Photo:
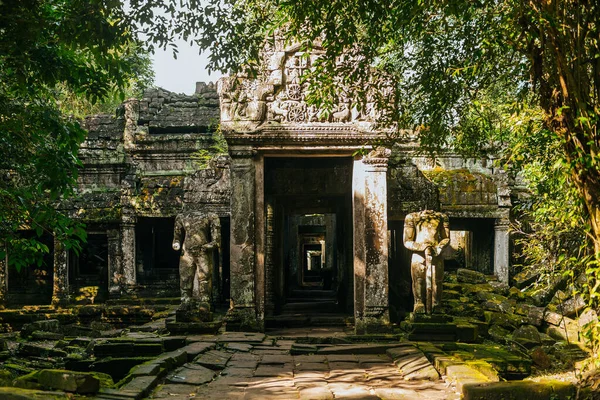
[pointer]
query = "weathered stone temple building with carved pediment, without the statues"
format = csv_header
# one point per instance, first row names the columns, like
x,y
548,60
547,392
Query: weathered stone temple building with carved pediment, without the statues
x,y
302,216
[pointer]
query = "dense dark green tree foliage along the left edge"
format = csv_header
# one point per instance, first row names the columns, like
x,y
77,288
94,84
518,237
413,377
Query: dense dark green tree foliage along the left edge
x,y
77,49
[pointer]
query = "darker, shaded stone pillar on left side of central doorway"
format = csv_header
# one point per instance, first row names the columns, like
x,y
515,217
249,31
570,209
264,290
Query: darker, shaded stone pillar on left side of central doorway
x,y
242,312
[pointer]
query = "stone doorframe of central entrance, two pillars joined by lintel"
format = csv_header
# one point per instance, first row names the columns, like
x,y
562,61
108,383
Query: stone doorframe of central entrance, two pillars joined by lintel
x,y
249,242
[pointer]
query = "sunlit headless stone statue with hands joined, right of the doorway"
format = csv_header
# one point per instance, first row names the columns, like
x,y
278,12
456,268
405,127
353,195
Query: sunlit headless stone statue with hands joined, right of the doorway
x,y
426,234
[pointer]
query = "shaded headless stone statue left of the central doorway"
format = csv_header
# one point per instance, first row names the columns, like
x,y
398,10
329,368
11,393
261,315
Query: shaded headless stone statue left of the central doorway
x,y
202,233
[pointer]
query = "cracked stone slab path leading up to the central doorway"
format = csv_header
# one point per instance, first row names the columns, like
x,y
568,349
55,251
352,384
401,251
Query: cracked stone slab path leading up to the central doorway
x,y
255,366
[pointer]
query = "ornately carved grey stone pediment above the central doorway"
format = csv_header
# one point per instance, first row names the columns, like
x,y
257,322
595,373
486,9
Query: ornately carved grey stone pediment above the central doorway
x,y
278,94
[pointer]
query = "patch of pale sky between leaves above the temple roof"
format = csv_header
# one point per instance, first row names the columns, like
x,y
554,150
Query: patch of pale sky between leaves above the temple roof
x,y
181,75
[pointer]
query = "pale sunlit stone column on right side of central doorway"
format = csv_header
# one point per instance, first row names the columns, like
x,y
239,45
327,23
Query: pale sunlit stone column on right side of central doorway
x,y
376,309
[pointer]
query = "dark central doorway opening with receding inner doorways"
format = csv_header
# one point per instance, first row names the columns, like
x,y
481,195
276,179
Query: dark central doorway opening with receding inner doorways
x,y
309,238
